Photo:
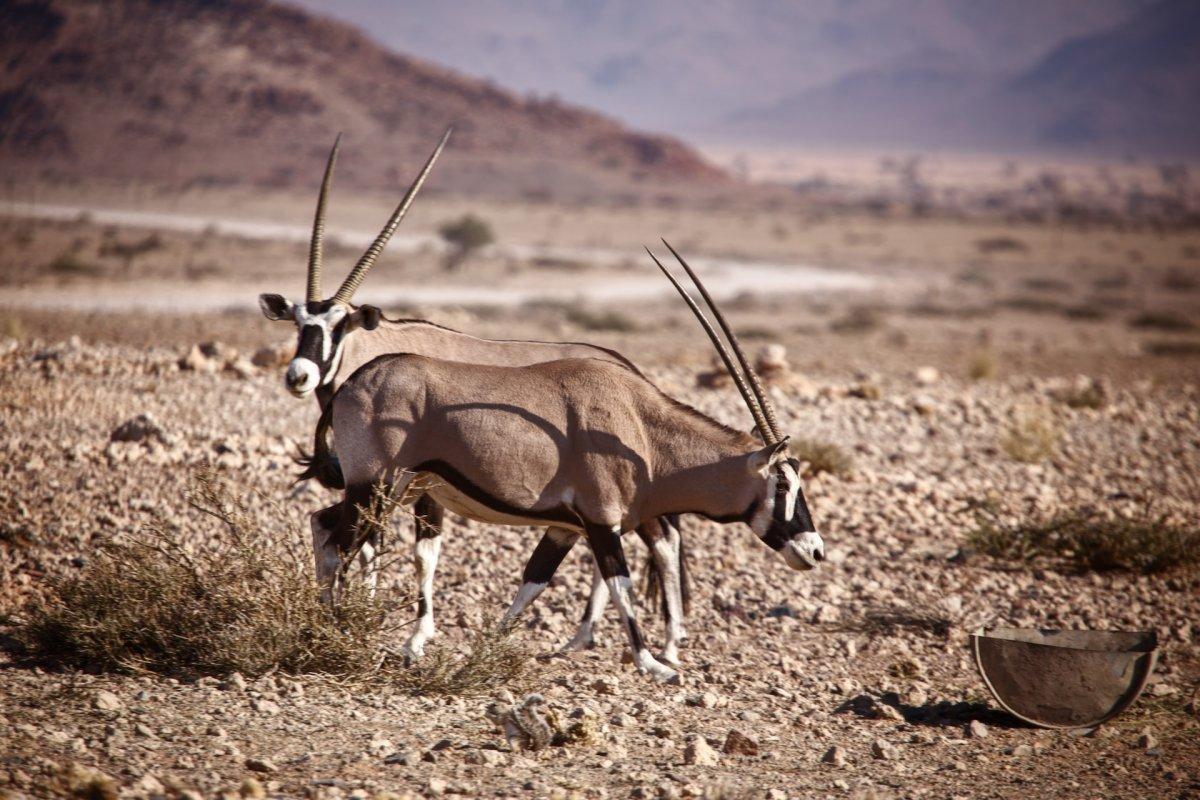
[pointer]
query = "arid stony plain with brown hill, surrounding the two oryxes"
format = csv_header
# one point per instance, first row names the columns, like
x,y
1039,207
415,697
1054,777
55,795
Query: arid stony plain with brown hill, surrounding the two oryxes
x,y
989,366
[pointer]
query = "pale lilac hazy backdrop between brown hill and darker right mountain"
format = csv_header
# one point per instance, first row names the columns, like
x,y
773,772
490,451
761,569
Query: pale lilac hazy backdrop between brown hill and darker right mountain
x,y
686,68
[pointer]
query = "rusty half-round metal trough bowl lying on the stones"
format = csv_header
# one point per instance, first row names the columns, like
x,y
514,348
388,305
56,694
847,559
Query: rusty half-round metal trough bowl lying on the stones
x,y
1065,679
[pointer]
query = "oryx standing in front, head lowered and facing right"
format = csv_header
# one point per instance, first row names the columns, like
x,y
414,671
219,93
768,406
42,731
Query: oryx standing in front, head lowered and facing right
x,y
586,447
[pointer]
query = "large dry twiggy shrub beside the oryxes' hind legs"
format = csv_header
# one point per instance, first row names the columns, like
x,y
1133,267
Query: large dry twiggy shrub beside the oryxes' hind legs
x,y
244,600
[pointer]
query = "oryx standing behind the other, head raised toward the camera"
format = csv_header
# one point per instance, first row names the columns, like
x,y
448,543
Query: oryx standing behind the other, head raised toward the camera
x,y
337,338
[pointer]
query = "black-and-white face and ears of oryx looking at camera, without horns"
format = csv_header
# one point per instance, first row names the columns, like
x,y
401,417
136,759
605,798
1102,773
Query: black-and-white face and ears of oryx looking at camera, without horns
x,y
322,328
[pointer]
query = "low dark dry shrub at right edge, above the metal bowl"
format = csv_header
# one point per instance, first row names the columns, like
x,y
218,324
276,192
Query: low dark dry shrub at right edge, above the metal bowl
x,y
1091,542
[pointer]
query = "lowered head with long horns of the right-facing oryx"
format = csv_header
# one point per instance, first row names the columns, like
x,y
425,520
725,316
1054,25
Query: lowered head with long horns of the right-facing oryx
x,y
779,513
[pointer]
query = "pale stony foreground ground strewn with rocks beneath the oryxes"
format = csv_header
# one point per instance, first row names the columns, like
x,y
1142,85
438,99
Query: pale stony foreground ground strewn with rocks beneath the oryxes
x,y
854,681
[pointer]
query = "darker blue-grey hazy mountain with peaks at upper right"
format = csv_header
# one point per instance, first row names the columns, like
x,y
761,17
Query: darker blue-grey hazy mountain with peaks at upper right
x,y
1133,88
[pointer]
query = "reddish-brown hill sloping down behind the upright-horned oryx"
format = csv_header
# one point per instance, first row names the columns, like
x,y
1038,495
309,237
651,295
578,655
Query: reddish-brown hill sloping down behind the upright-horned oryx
x,y
224,92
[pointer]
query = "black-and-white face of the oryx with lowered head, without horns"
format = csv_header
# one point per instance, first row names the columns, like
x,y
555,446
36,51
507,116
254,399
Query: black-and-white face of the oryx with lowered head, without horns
x,y
782,519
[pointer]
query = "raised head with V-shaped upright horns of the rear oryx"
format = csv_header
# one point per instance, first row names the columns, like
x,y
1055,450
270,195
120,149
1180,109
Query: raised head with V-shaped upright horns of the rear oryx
x,y
323,324
